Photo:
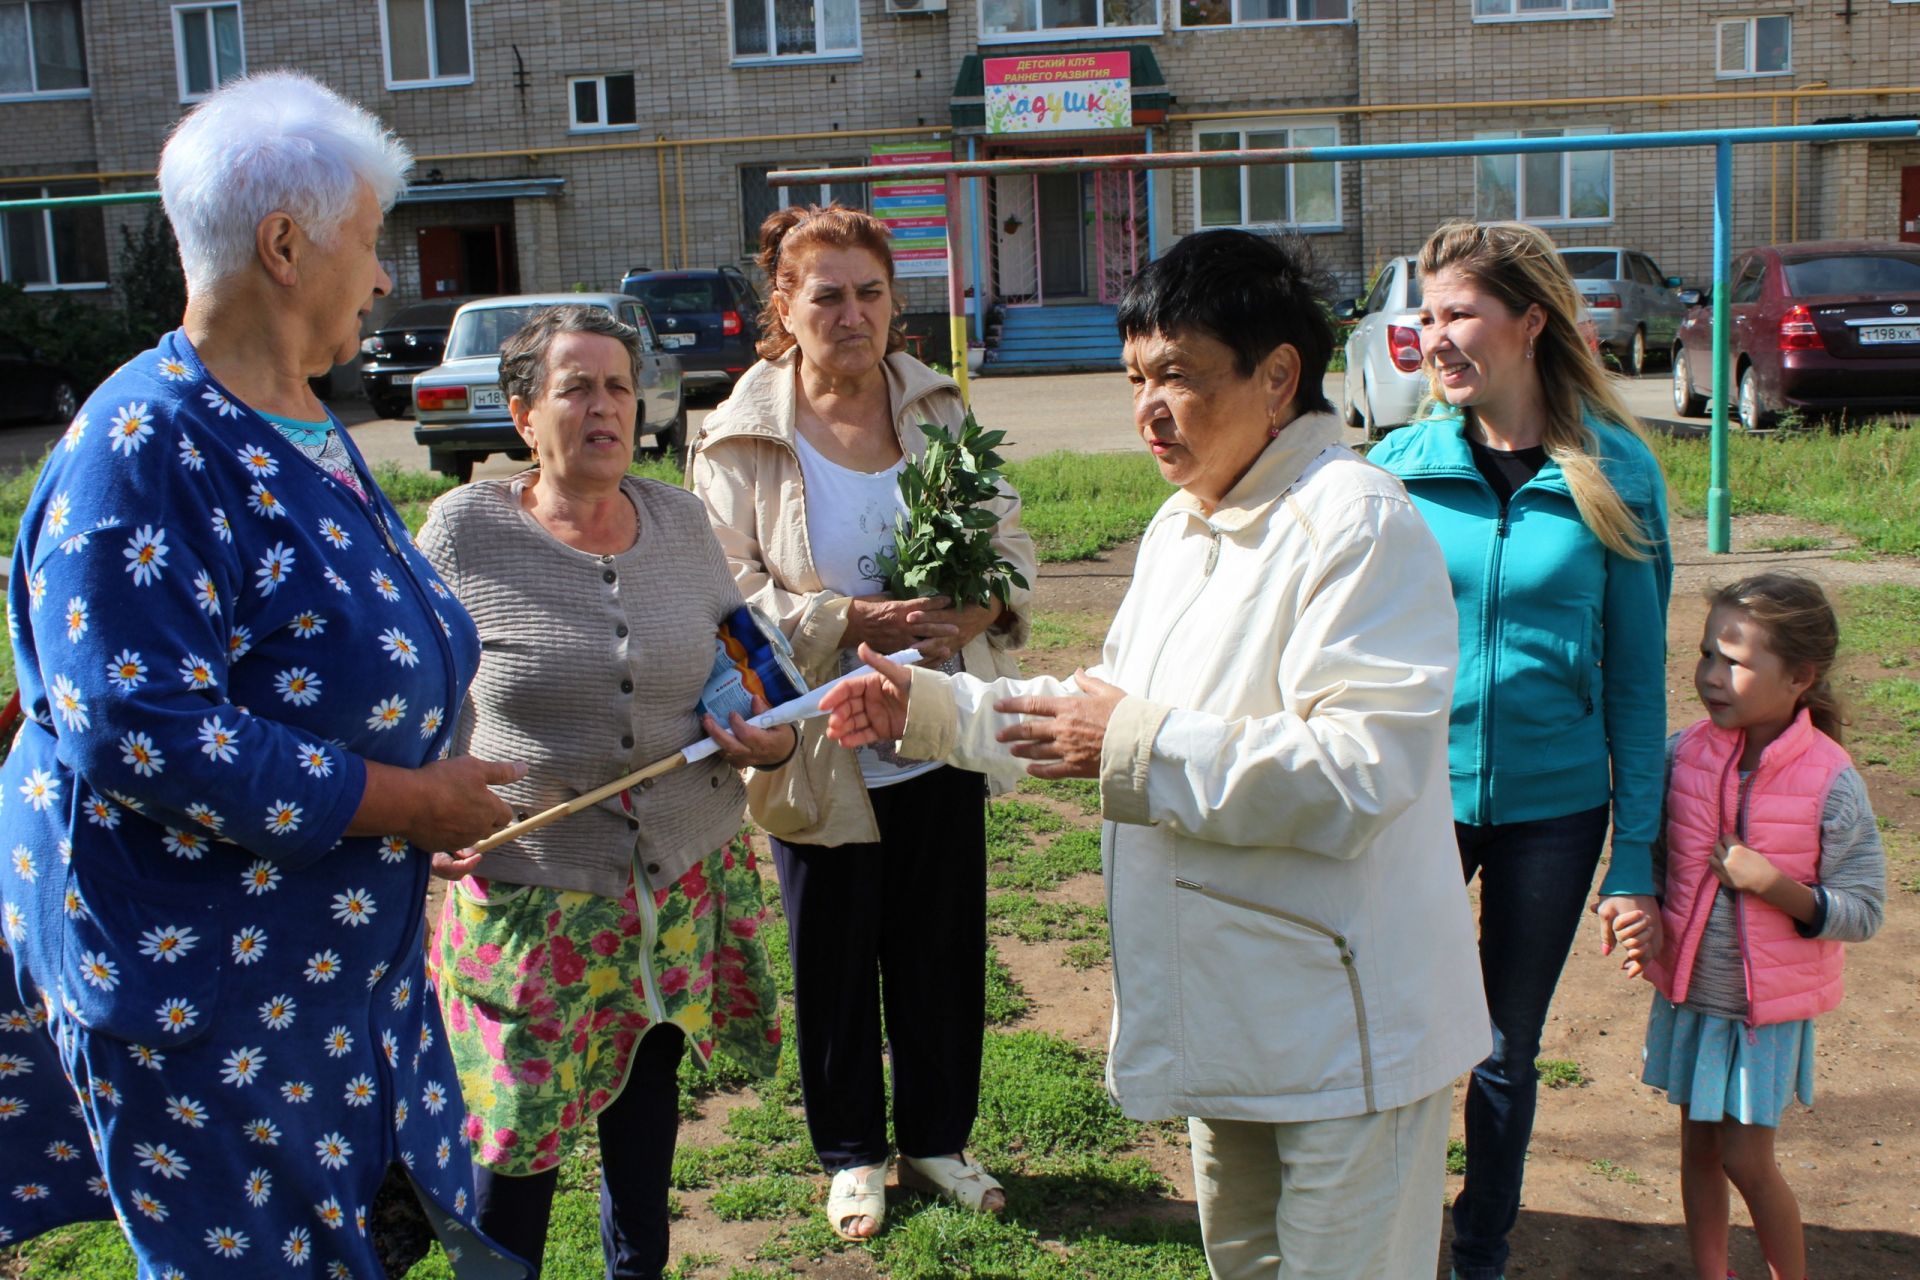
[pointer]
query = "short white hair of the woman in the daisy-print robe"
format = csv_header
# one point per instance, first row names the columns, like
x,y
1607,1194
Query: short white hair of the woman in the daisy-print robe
x,y
264,143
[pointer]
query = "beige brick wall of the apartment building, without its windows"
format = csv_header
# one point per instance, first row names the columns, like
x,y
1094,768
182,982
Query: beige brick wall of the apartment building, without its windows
x,y
1393,55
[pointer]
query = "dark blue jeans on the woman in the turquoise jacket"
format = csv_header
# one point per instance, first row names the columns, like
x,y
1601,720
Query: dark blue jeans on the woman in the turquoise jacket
x,y
1535,882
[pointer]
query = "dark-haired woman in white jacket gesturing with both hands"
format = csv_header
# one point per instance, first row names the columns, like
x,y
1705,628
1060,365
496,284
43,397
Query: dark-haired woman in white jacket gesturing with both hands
x,y
1293,957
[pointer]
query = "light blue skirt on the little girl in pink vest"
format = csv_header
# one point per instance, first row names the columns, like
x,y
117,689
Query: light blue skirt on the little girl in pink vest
x,y
1717,1074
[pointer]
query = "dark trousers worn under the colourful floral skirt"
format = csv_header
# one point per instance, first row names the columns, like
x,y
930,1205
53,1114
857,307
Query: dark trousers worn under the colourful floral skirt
x,y
636,1131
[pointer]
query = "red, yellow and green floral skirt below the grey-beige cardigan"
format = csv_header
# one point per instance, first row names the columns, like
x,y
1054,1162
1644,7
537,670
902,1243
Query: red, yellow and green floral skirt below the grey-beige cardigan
x,y
548,991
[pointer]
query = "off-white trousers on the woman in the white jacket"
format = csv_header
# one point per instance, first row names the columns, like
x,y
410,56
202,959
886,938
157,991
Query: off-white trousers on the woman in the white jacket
x,y
1356,1198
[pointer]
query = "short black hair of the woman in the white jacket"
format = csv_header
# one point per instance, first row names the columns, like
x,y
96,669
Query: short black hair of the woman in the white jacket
x,y
1243,291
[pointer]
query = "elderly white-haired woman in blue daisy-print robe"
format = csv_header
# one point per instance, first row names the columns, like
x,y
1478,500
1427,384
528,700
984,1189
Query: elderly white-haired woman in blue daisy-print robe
x,y
228,797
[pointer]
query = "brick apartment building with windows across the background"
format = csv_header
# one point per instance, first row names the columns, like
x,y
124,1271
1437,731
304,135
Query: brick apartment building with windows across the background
x,y
567,141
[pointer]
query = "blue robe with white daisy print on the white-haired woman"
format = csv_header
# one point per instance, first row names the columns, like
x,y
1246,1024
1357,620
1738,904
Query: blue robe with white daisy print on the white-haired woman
x,y
216,615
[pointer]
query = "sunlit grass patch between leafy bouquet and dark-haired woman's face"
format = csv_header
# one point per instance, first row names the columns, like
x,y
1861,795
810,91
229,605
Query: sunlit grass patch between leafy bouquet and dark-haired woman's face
x,y
1080,504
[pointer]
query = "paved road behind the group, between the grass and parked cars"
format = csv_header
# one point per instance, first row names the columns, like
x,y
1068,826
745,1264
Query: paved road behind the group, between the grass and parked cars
x,y
1088,414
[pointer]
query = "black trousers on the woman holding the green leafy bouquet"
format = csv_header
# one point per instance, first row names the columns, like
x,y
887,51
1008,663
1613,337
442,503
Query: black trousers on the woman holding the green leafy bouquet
x,y
900,922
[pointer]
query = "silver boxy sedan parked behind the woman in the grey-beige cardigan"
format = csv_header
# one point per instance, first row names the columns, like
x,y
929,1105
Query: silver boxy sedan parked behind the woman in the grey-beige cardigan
x,y
460,414
